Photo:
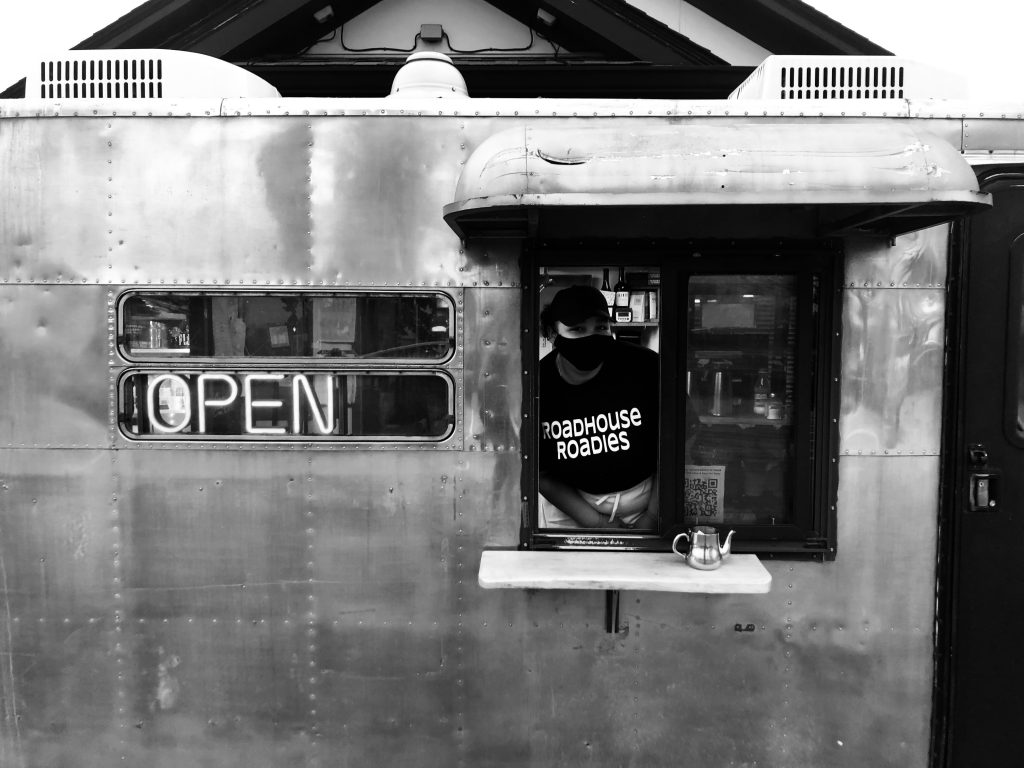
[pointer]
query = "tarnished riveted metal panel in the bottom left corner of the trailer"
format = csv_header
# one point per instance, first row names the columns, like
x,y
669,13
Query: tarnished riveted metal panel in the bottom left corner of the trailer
x,y
59,605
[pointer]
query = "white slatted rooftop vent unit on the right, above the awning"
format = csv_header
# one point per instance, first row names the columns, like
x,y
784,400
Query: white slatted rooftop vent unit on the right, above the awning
x,y
847,78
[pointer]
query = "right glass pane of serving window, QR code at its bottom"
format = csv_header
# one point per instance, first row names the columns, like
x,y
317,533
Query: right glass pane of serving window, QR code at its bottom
x,y
741,388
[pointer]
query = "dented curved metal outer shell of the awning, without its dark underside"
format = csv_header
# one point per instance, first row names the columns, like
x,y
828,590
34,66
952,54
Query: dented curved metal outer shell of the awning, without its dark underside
x,y
865,169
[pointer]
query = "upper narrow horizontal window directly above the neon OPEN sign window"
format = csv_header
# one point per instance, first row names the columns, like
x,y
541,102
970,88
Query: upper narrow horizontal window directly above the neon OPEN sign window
x,y
380,326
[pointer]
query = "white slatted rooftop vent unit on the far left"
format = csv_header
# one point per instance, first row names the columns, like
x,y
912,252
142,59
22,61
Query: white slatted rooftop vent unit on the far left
x,y
142,74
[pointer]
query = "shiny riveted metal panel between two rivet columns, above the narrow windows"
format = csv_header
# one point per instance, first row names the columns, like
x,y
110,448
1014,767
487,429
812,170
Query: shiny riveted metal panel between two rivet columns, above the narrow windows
x,y
225,201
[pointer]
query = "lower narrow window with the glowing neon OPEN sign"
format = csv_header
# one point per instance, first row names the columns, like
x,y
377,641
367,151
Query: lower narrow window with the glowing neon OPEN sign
x,y
283,406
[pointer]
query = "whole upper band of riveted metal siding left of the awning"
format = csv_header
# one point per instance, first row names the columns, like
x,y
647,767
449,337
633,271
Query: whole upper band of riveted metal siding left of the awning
x,y
280,201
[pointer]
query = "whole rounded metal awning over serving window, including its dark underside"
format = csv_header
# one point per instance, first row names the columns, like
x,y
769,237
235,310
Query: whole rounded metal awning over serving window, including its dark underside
x,y
711,179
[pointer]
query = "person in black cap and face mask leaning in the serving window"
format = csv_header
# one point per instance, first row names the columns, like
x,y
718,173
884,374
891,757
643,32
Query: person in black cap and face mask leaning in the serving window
x,y
600,419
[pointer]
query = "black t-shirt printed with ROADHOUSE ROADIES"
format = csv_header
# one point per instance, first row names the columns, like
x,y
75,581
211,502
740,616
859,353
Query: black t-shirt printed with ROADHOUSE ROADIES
x,y
602,437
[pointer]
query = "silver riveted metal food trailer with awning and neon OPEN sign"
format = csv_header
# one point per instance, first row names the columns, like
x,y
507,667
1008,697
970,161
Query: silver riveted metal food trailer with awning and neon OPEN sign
x,y
270,422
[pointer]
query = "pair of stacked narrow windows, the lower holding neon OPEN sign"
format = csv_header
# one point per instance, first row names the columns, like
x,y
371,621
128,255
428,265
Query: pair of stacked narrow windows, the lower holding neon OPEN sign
x,y
289,366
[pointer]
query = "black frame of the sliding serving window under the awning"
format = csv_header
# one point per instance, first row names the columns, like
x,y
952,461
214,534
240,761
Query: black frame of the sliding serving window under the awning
x,y
818,265
